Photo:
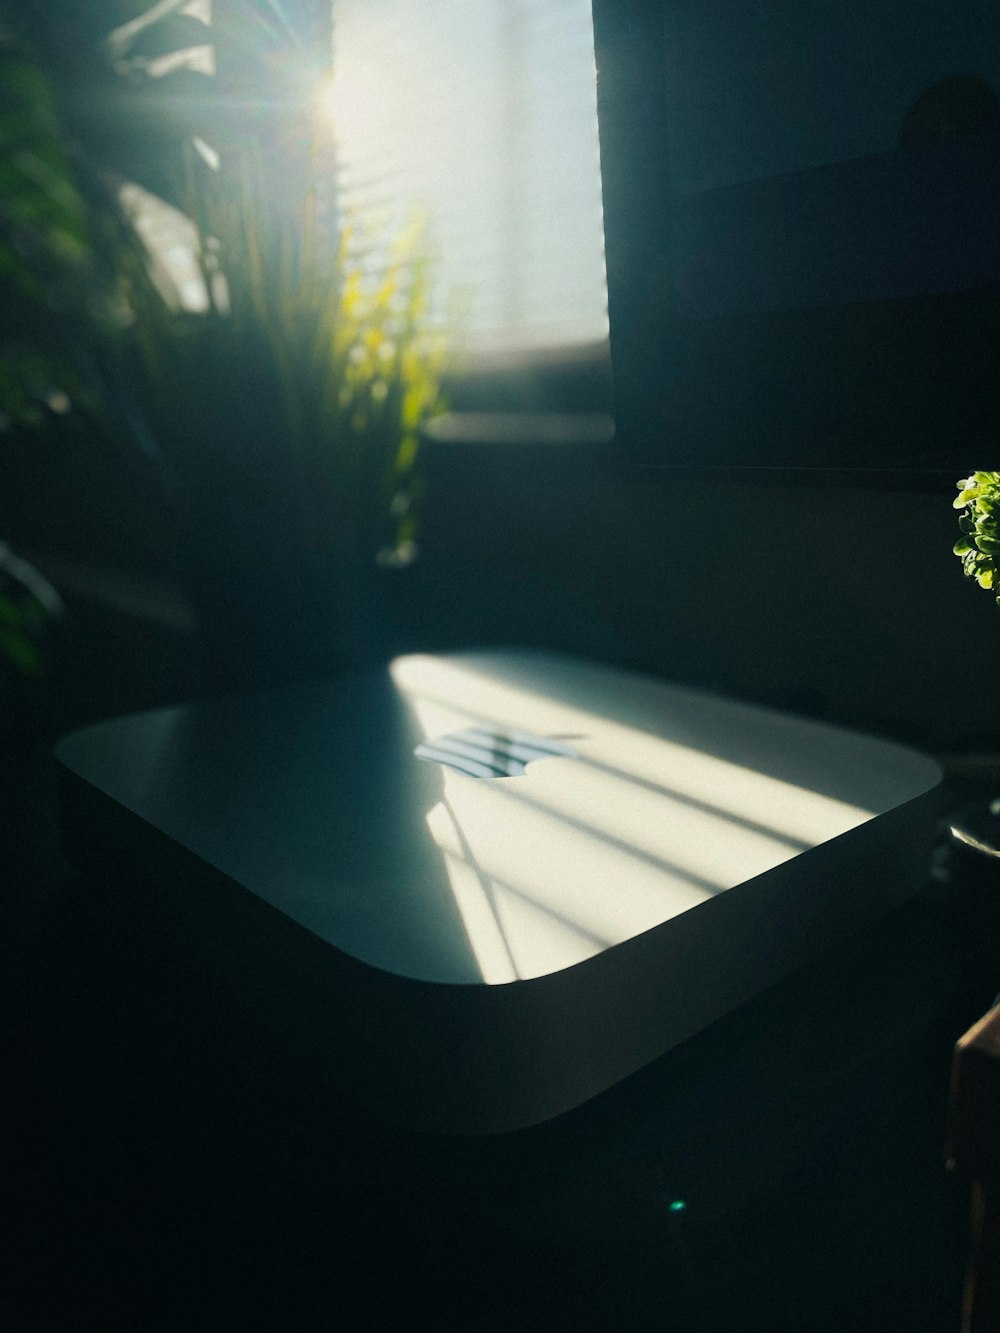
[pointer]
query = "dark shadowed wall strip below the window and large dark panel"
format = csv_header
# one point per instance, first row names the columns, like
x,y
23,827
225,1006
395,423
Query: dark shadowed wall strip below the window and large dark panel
x,y
841,602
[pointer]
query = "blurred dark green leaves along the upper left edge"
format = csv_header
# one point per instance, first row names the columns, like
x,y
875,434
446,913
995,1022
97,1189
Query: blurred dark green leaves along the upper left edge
x,y
73,275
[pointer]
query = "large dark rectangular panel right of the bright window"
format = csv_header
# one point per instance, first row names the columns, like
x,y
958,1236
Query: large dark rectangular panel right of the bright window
x,y
801,210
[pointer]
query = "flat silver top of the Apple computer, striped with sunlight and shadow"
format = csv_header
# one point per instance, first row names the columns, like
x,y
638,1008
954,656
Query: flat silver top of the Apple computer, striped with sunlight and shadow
x,y
491,818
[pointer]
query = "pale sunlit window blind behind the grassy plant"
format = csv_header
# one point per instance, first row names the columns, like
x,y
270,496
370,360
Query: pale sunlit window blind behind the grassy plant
x,y
481,115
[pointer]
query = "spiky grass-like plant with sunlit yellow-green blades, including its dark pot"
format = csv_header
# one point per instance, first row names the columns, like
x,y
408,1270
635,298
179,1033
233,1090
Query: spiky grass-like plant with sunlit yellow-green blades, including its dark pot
x,y
294,405
